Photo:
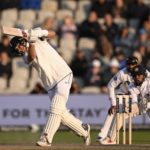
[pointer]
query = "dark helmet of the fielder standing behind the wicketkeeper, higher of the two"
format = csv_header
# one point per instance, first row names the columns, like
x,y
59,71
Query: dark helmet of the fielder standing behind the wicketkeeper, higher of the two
x,y
131,61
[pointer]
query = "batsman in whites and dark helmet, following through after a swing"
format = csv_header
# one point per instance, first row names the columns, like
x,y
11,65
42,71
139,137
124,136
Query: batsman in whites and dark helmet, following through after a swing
x,y
56,77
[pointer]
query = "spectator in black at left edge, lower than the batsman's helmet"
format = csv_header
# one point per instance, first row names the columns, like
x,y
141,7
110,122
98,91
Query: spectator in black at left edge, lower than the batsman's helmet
x,y
5,67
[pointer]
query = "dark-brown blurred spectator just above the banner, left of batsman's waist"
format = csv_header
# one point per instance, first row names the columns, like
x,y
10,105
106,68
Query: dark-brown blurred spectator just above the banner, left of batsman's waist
x,y
38,89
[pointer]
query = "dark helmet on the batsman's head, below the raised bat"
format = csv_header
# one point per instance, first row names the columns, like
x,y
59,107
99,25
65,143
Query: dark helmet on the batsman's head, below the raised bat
x,y
13,43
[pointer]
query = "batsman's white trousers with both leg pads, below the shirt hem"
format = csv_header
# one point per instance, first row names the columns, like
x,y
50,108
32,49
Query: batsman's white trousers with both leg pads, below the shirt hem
x,y
59,113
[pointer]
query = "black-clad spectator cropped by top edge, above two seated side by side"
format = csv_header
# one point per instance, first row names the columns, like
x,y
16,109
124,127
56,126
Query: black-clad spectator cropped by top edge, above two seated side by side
x,y
101,7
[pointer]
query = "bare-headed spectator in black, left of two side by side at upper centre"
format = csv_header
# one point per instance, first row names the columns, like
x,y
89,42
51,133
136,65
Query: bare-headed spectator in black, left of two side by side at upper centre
x,y
90,27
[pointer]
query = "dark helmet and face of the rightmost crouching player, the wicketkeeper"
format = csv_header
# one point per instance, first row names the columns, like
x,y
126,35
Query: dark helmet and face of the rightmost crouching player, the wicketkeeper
x,y
139,70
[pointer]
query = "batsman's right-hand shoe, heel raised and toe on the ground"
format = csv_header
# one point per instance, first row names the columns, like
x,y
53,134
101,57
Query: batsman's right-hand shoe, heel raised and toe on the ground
x,y
87,139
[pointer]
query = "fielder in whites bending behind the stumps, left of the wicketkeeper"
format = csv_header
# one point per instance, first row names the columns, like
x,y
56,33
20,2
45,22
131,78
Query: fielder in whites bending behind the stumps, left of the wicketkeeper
x,y
117,85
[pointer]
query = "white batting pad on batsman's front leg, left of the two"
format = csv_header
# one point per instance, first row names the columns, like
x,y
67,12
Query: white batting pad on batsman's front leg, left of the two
x,y
51,126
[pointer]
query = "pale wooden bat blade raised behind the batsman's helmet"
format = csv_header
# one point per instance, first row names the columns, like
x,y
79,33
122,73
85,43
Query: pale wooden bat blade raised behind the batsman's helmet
x,y
12,31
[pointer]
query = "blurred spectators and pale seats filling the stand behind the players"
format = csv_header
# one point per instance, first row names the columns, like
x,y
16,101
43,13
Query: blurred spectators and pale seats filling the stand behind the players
x,y
93,36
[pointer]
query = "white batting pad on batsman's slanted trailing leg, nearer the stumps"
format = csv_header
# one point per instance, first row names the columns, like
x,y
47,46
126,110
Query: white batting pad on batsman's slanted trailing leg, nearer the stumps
x,y
73,123
